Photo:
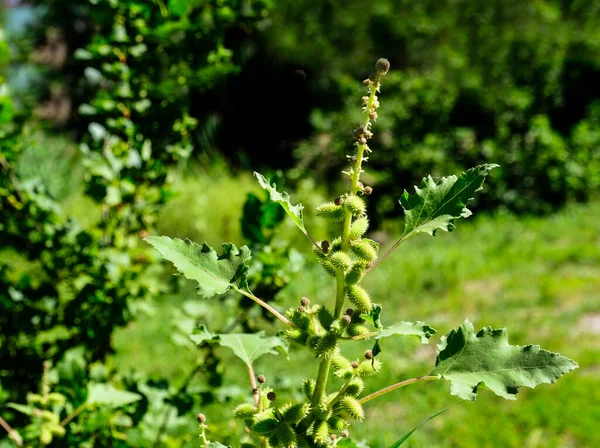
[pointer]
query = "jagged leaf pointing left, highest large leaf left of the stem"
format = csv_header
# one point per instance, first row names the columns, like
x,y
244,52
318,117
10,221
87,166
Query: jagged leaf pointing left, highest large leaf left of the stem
x,y
214,273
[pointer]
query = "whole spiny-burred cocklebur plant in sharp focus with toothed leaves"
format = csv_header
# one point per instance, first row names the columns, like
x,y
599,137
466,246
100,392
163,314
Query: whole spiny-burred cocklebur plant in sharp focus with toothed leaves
x,y
466,358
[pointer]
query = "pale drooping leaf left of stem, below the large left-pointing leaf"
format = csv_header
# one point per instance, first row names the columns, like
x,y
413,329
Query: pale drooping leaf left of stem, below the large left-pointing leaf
x,y
247,347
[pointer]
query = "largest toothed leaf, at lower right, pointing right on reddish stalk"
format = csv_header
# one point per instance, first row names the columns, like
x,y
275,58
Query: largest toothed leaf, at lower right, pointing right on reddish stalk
x,y
467,360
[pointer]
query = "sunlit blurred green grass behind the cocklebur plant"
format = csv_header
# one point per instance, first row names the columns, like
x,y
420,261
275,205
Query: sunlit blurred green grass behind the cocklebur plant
x,y
540,277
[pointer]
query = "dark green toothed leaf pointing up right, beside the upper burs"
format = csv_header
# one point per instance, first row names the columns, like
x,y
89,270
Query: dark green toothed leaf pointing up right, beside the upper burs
x,y
435,205
